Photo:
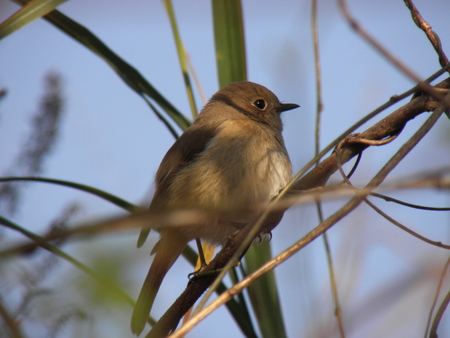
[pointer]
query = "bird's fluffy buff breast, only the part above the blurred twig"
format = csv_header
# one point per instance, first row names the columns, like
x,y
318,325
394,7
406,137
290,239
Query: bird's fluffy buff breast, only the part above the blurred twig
x,y
245,163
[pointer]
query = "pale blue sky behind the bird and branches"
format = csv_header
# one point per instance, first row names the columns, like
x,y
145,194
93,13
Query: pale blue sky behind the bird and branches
x,y
111,140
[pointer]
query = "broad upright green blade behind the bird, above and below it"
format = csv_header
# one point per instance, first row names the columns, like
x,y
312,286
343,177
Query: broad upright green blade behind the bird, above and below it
x,y
231,66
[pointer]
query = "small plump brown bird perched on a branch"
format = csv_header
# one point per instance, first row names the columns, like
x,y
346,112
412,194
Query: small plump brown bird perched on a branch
x,y
233,156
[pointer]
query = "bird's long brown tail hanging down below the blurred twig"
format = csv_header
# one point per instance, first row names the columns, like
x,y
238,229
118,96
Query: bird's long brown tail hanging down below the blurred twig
x,y
169,248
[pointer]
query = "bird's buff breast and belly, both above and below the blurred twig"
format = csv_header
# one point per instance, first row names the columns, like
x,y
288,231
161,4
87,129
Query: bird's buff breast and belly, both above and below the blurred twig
x,y
242,167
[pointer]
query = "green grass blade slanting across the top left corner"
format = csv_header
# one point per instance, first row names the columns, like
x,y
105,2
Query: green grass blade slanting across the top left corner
x,y
32,11
